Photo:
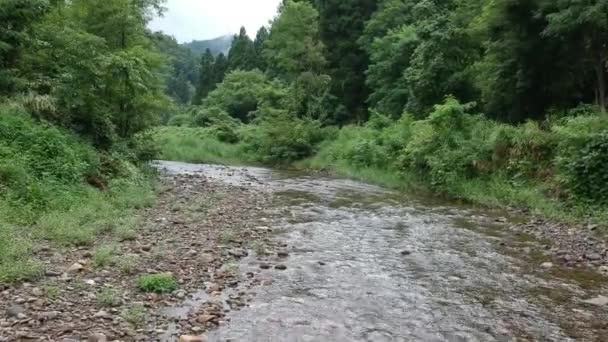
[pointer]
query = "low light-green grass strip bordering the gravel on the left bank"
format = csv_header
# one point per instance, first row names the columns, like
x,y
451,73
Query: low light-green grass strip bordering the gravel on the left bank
x,y
76,216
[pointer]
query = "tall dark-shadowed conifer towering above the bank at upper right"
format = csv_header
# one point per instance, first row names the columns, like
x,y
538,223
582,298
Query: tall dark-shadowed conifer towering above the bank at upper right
x,y
525,72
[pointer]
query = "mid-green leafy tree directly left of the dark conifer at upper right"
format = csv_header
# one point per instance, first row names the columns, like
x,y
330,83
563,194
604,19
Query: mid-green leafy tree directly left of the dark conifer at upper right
x,y
445,50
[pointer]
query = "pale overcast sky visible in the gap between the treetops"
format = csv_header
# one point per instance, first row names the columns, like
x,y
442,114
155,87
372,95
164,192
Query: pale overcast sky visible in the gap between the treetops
x,y
189,20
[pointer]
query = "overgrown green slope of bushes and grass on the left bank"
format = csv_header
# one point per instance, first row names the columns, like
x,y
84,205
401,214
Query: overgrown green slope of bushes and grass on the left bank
x,y
57,191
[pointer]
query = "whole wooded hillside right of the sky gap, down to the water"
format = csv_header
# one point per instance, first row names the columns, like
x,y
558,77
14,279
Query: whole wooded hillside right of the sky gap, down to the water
x,y
497,102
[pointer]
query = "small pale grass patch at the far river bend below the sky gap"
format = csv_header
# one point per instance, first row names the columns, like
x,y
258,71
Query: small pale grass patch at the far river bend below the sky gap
x,y
195,145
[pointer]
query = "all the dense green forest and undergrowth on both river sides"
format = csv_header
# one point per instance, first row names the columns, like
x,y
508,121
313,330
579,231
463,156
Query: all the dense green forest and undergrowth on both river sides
x,y
500,102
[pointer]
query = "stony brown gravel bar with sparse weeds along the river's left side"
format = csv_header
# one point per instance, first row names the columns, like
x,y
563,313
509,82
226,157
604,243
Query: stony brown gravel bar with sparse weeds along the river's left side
x,y
197,232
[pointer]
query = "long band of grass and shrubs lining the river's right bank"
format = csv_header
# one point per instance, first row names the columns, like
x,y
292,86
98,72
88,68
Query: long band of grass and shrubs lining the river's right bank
x,y
554,169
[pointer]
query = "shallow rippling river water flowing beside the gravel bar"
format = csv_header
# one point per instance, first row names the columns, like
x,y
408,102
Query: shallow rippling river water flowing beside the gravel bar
x,y
367,264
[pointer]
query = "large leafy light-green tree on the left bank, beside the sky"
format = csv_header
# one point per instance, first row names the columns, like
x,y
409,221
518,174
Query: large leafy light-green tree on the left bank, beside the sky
x,y
104,76
